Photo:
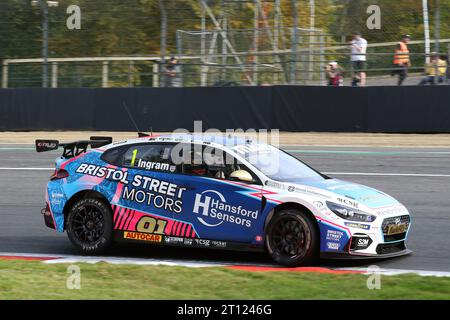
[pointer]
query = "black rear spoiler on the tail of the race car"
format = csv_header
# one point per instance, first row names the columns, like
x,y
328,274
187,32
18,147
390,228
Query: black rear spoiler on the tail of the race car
x,y
72,149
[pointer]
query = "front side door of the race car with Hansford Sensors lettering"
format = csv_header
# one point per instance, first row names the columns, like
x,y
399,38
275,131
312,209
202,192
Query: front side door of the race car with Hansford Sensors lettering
x,y
218,206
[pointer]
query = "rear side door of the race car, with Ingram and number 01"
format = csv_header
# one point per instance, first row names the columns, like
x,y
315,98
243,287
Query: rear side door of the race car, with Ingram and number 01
x,y
147,201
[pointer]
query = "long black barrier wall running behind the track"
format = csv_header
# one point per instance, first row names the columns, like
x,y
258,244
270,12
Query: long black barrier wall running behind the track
x,y
288,108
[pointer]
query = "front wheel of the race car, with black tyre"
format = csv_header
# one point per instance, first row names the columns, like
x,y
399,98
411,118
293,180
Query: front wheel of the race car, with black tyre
x,y
292,238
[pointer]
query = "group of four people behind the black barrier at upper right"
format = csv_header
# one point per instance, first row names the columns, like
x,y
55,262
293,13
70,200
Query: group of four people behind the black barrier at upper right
x,y
437,70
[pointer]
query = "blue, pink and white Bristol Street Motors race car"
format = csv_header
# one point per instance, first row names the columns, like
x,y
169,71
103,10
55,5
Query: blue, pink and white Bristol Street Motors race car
x,y
213,191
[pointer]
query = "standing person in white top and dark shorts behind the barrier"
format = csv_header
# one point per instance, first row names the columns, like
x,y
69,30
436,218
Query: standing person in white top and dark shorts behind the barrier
x,y
358,47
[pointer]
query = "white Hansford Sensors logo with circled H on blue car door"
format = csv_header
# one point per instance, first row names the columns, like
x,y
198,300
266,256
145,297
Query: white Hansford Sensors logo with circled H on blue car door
x,y
213,210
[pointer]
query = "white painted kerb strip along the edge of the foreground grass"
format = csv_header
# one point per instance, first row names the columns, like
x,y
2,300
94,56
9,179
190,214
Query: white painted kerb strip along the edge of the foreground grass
x,y
62,258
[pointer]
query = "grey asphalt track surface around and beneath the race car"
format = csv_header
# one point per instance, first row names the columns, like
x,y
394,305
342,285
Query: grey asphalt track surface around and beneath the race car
x,y
417,177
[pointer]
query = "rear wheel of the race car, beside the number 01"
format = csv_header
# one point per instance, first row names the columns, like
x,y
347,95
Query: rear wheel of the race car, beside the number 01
x,y
89,225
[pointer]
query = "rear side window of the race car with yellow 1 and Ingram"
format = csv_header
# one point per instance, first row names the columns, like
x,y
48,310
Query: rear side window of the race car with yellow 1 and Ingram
x,y
154,157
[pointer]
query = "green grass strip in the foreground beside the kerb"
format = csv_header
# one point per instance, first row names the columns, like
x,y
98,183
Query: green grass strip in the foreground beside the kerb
x,y
36,280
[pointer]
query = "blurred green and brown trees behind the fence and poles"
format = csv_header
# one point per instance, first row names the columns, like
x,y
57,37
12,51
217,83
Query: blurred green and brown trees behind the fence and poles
x,y
133,28
